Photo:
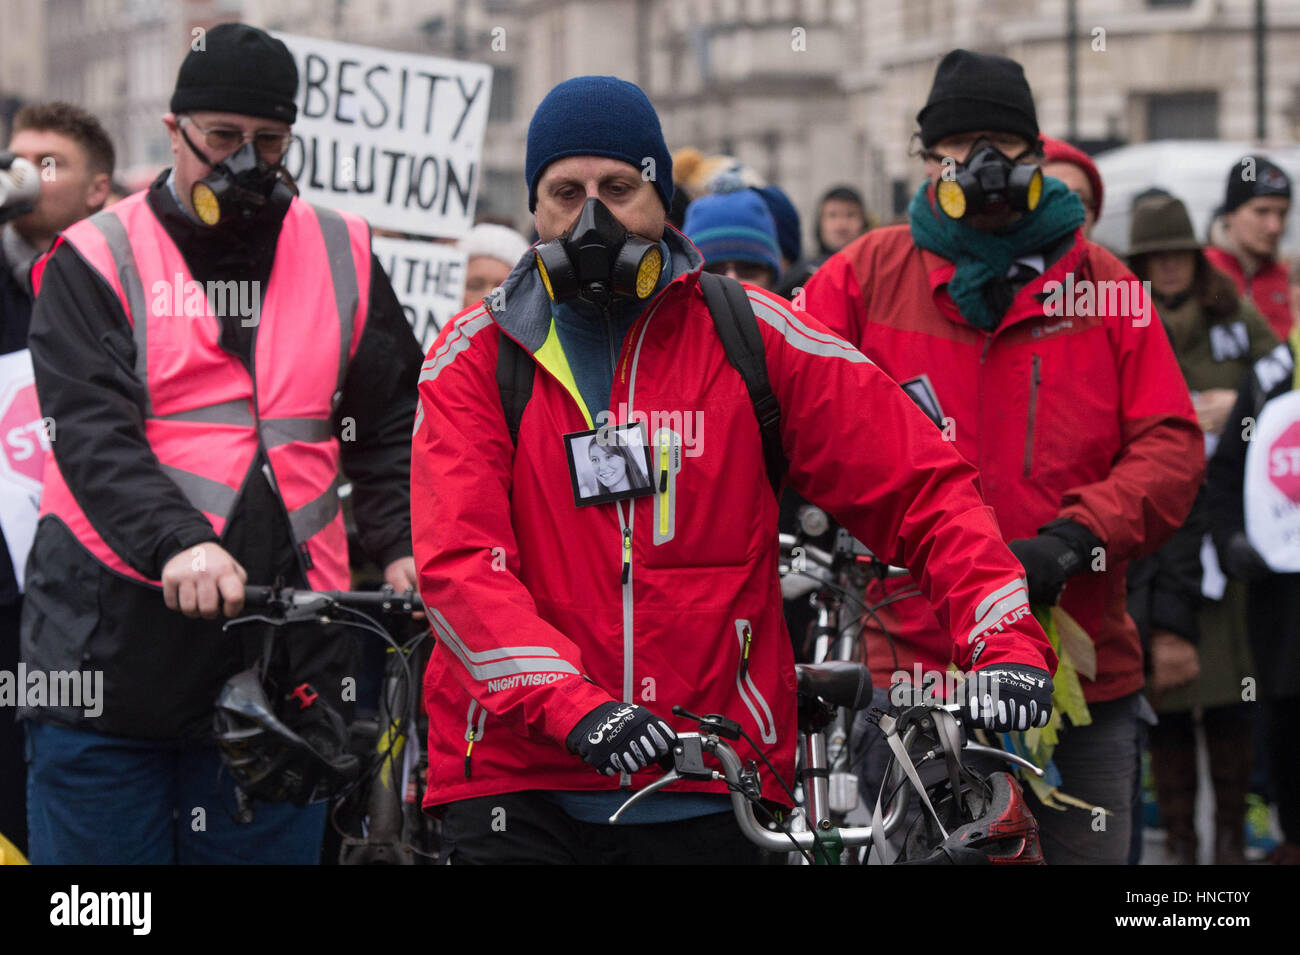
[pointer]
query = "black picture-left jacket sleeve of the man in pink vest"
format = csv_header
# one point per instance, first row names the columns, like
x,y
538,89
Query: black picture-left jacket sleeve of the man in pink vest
x,y
84,359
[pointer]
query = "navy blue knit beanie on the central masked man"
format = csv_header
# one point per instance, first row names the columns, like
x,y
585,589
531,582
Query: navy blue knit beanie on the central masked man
x,y
597,116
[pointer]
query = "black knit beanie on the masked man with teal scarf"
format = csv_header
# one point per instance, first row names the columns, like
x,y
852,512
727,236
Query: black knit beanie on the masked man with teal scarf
x,y
978,92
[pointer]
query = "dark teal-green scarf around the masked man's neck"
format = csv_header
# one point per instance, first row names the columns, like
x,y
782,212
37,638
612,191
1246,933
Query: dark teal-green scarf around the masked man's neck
x,y
982,258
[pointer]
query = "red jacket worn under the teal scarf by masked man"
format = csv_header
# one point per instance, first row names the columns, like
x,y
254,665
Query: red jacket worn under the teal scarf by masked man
x,y
1071,415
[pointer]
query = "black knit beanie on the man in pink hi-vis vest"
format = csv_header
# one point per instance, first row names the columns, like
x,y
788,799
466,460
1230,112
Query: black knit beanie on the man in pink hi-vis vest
x,y
239,70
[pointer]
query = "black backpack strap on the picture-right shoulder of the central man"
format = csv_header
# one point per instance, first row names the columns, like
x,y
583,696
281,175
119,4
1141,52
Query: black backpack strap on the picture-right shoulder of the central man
x,y
738,328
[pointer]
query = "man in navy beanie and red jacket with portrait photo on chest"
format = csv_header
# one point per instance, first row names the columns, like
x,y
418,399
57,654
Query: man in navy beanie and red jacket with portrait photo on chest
x,y
571,622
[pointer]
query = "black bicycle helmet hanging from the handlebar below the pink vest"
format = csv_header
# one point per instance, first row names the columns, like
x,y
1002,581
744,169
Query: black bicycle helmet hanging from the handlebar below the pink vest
x,y
272,762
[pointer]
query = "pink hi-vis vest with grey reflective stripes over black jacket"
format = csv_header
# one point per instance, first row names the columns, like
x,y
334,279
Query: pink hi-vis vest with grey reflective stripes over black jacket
x,y
205,416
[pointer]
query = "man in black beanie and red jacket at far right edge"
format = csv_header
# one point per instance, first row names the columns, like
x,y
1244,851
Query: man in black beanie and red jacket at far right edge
x,y
1246,240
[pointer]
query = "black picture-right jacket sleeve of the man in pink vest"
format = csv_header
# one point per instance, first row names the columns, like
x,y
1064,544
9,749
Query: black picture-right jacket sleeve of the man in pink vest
x,y
376,418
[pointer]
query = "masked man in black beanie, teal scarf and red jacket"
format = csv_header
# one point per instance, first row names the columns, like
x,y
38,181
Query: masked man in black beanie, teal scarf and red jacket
x,y
1041,361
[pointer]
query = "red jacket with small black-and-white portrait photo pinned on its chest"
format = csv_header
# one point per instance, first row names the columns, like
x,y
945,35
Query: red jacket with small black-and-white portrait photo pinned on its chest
x,y
545,611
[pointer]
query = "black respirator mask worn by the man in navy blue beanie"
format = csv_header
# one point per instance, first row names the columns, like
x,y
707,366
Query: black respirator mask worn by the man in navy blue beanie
x,y
597,259
